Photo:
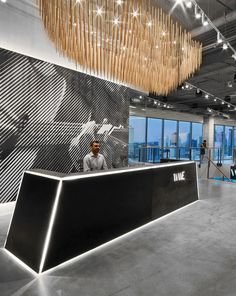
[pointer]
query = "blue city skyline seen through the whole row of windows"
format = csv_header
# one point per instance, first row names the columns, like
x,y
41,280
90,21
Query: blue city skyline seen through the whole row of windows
x,y
153,139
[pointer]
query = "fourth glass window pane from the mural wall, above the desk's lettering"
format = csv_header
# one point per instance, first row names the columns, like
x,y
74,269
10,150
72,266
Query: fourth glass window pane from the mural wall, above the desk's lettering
x,y
184,140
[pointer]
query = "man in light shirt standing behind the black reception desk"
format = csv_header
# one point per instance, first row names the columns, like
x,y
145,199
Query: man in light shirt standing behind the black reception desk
x,y
94,160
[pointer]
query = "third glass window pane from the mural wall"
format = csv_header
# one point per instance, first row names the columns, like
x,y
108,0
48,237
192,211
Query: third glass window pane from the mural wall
x,y
170,138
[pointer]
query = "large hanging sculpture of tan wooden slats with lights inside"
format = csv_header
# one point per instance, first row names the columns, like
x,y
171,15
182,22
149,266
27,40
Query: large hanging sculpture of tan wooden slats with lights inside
x,y
131,41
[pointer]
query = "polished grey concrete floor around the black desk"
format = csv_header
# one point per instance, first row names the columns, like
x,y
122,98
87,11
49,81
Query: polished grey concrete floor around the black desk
x,y
190,252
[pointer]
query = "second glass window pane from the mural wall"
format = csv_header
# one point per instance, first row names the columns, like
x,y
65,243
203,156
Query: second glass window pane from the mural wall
x,y
154,139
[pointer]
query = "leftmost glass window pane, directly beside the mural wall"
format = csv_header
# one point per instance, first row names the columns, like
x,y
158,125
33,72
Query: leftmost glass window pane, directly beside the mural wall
x,y
137,138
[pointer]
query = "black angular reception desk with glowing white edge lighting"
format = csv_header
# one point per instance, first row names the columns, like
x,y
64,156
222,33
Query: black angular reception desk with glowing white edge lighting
x,y
58,217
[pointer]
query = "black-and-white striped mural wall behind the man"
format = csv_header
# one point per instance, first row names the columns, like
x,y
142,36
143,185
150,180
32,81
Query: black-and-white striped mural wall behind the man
x,y
49,115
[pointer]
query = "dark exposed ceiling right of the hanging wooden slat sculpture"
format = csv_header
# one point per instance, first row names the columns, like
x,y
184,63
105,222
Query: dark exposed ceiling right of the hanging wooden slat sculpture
x,y
217,74
